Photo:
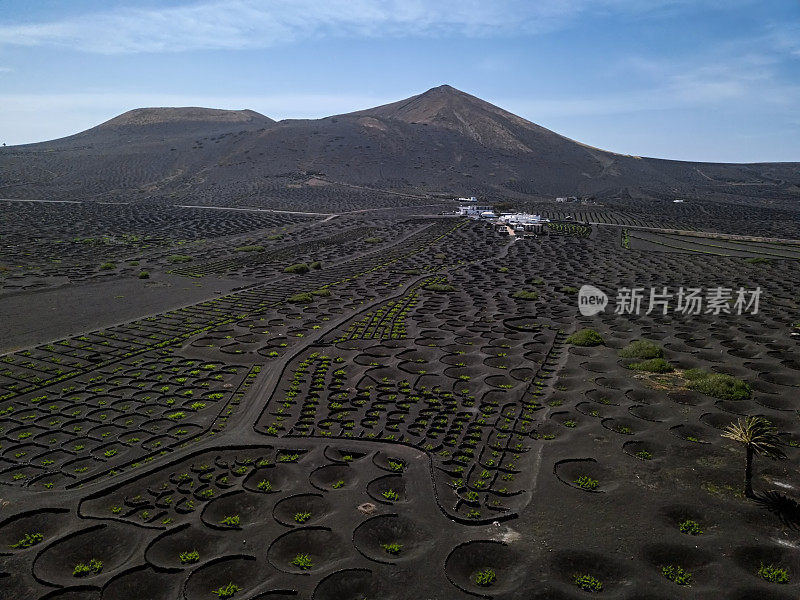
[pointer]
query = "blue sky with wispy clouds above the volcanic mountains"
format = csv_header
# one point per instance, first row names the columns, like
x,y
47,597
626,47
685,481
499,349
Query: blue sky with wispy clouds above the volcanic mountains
x,y
715,80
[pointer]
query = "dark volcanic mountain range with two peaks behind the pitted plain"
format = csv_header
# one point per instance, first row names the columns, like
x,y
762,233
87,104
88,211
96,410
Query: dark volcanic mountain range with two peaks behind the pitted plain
x,y
443,141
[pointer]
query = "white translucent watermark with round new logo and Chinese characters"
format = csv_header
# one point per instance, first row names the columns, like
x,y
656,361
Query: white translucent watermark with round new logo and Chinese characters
x,y
664,300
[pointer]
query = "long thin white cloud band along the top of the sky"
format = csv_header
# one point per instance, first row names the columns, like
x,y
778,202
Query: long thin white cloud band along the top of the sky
x,y
247,24
